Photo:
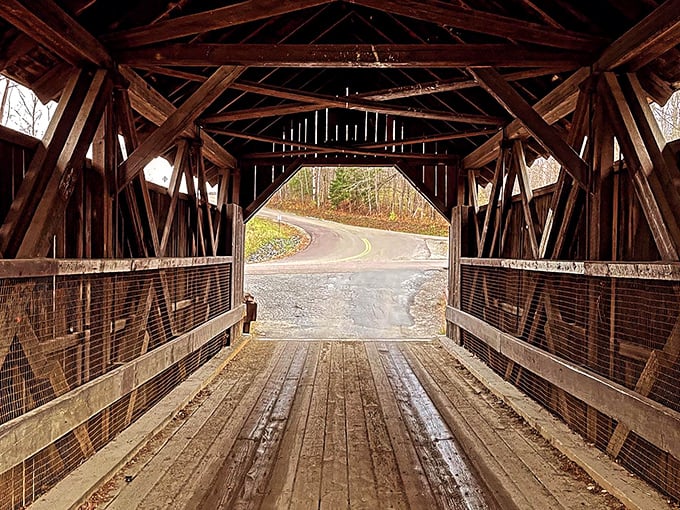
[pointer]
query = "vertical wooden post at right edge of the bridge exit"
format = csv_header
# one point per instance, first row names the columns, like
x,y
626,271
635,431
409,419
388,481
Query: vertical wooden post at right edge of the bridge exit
x,y
459,246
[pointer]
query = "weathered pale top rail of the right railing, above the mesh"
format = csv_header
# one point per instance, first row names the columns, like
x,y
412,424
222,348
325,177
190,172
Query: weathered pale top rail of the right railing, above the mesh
x,y
633,270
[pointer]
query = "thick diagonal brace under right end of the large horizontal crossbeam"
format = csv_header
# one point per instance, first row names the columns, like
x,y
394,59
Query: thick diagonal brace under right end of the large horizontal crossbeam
x,y
545,134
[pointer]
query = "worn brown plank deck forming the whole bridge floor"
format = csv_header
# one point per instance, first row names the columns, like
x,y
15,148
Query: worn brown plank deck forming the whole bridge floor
x,y
324,424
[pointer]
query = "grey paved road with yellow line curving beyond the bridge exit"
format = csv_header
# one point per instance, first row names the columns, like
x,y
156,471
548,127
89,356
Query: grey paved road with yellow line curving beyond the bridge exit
x,y
351,283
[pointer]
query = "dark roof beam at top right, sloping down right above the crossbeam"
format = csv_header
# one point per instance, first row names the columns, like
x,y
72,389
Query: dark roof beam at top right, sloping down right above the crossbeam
x,y
443,13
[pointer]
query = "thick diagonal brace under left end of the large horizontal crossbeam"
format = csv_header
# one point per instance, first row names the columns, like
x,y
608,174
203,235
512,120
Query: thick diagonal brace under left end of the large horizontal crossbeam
x,y
177,122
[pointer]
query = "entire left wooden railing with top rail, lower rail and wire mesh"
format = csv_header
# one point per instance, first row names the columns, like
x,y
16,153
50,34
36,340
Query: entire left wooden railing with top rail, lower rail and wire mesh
x,y
87,346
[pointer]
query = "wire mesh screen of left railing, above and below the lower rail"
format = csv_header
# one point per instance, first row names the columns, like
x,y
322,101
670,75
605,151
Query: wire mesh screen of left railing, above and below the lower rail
x,y
57,333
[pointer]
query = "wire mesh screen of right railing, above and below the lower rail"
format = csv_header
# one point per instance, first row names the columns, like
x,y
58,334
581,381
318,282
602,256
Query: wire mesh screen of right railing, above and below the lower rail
x,y
626,330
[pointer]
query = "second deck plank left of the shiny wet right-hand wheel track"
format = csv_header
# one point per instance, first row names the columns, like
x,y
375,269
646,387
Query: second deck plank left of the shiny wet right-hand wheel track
x,y
390,488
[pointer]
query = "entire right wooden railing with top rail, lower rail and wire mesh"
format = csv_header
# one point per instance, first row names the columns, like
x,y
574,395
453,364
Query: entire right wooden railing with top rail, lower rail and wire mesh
x,y
597,343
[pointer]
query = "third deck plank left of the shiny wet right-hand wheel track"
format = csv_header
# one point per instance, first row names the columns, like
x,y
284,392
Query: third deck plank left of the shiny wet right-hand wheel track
x,y
361,478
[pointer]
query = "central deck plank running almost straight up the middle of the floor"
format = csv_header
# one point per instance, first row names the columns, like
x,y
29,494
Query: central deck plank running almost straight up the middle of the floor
x,y
334,476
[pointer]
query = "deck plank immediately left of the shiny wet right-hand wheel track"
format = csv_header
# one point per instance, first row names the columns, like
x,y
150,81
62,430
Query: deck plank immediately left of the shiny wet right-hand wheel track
x,y
416,485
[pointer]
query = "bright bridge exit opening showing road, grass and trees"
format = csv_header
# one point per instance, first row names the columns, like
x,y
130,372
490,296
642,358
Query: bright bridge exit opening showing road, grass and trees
x,y
355,253
